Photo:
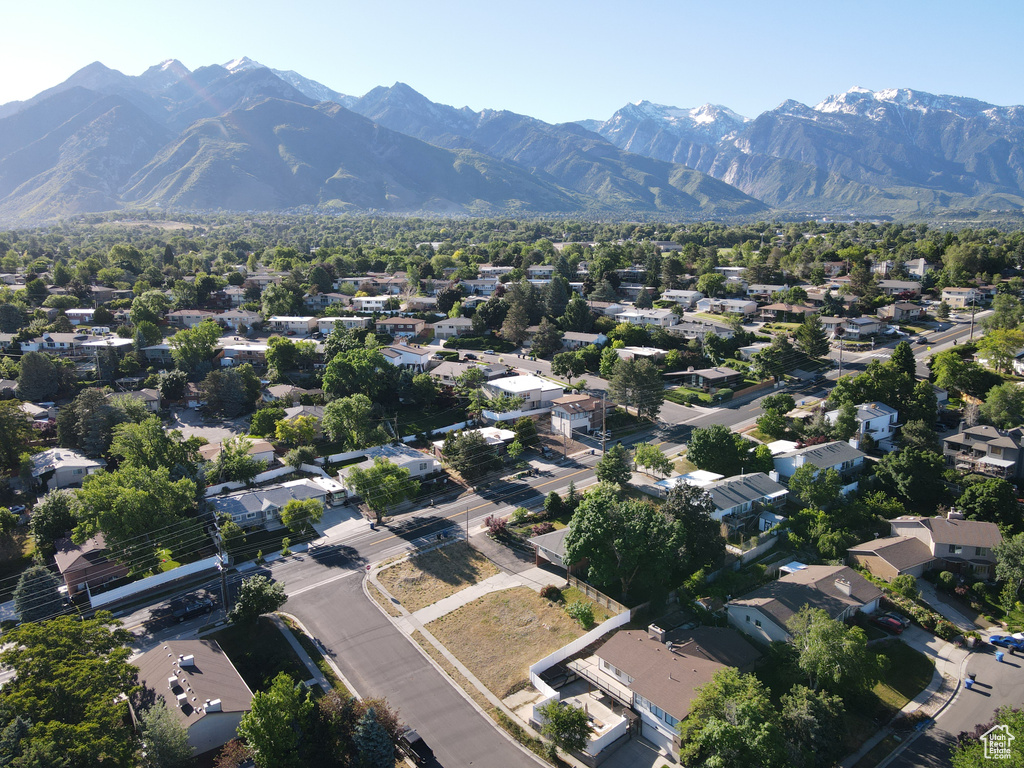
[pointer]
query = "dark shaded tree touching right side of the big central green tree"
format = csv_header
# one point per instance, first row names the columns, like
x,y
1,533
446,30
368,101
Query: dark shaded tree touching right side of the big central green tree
x,y
697,539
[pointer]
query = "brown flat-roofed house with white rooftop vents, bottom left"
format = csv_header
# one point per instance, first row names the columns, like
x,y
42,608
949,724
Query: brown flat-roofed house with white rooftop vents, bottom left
x,y
203,691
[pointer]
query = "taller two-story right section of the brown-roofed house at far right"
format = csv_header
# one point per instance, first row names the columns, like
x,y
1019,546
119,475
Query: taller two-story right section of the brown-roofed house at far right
x,y
958,545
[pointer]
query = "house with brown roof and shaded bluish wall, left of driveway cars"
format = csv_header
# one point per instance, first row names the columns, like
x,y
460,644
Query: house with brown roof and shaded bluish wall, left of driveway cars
x,y
839,590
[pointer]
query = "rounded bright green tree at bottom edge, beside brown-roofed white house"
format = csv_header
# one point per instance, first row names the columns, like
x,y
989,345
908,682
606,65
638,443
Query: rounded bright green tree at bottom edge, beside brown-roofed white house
x,y
733,723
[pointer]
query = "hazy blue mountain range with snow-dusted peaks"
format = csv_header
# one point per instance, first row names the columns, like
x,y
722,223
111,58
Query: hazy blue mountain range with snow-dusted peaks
x,y
242,137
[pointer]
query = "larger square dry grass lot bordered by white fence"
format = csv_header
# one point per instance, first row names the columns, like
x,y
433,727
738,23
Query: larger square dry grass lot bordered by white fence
x,y
499,636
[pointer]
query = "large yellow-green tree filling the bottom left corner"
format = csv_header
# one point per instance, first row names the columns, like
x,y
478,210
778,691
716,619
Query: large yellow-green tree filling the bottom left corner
x,y
72,682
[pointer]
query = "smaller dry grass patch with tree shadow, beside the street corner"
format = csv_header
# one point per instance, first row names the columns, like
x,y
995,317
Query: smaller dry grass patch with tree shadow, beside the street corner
x,y
424,580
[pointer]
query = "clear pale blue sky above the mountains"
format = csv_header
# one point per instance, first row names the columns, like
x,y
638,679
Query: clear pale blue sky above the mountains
x,y
558,61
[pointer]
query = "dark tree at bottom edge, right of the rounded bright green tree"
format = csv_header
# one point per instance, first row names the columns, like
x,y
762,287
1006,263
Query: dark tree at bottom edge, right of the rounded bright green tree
x,y
815,728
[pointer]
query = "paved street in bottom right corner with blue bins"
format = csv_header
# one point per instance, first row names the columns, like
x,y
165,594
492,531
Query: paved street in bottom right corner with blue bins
x,y
998,686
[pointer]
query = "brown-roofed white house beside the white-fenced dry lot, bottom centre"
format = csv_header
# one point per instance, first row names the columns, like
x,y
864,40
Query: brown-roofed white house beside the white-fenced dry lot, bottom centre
x,y
660,680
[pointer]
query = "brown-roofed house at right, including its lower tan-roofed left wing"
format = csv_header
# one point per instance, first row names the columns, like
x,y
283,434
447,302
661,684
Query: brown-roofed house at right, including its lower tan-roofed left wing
x,y
919,544
